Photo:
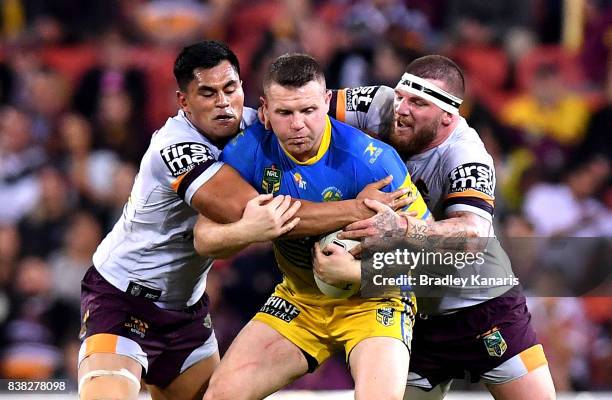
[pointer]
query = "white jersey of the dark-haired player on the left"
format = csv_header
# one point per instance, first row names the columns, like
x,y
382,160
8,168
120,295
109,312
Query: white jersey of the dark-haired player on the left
x,y
151,245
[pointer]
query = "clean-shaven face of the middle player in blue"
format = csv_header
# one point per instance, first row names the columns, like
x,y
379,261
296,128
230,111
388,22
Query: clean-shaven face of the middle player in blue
x,y
298,116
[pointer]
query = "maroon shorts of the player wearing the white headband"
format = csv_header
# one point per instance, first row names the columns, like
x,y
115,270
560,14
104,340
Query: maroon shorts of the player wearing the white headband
x,y
471,342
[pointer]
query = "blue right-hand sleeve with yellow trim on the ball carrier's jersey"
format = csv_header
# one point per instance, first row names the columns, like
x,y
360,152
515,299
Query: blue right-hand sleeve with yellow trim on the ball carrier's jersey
x,y
382,160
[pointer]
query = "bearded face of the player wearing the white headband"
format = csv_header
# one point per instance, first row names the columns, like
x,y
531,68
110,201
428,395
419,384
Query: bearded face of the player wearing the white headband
x,y
416,122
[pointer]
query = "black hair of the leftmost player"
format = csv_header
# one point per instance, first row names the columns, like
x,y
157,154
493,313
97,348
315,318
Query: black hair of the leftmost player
x,y
206,54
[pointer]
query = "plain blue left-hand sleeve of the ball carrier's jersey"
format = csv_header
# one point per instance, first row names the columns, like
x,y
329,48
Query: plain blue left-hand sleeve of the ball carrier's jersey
x,y
240,152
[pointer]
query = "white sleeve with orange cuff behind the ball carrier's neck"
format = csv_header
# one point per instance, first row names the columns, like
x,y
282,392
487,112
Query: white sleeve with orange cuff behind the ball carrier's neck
x,y
368,108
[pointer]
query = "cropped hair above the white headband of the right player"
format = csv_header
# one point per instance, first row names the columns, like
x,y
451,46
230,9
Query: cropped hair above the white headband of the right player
x,y
442,69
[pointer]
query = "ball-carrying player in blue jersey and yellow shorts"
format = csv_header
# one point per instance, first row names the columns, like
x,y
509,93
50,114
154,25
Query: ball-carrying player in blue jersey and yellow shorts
x,y
313,157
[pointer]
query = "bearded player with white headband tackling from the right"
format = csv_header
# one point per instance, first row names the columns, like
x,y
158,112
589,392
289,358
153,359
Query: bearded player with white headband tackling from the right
x,y
484,334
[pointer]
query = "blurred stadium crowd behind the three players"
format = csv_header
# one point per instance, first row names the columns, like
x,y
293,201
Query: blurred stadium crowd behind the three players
x,y
83,85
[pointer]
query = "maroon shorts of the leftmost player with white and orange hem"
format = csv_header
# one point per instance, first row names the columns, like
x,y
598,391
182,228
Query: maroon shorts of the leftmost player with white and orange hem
x,y
164,342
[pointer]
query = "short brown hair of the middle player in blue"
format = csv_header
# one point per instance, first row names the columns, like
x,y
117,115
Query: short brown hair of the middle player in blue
x,y
293,70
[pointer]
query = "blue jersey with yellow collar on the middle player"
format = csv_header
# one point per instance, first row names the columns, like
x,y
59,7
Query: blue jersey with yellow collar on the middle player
x,y
346,162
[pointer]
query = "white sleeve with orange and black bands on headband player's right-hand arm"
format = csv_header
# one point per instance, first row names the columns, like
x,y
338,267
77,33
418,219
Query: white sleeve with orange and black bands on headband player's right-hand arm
x,y
469,183
